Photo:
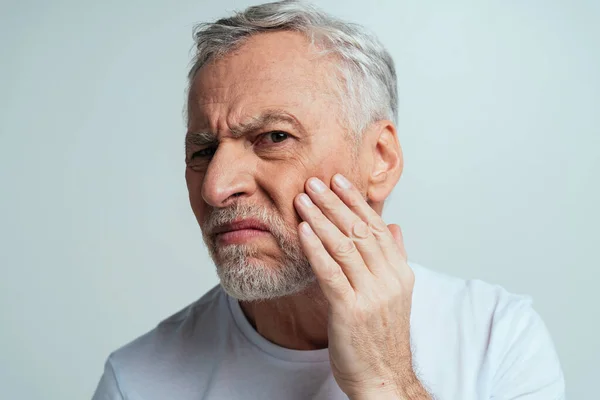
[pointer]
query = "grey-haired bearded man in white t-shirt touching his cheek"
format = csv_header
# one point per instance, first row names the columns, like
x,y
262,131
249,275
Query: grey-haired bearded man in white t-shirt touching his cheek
x,y
291,151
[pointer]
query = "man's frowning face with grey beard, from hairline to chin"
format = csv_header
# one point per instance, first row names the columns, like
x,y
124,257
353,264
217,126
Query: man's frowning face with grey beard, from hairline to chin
x,y
262,121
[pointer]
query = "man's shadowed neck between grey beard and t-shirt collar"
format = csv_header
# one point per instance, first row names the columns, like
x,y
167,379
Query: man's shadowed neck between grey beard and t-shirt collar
x,y
297,322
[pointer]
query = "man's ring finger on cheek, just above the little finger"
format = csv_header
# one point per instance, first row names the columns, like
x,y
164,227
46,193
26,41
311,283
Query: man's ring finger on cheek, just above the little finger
x,y
339,246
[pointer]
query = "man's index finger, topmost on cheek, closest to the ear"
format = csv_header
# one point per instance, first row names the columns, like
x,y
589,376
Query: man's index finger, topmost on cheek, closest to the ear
x,y
356,202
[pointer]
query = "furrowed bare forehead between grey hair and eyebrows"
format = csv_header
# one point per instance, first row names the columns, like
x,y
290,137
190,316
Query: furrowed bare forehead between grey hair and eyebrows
x,y
275,70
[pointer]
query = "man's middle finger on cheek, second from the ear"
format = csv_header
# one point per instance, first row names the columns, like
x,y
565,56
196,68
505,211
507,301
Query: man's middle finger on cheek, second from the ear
x,y
347,222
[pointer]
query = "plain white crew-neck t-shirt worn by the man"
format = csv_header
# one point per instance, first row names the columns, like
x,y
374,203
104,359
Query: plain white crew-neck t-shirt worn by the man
x,y
470,339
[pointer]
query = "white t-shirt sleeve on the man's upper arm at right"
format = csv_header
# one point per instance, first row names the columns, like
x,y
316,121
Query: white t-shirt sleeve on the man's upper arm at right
x,y
527,365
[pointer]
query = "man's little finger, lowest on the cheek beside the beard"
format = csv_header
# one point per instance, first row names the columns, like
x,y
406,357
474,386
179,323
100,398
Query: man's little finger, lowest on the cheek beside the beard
x,y
331,278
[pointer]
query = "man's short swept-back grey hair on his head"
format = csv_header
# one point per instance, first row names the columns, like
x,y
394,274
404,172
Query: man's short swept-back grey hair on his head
x,y
367,88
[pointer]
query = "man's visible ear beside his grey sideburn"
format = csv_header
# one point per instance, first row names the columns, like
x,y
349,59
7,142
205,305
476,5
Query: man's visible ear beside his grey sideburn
x,y
387,163
